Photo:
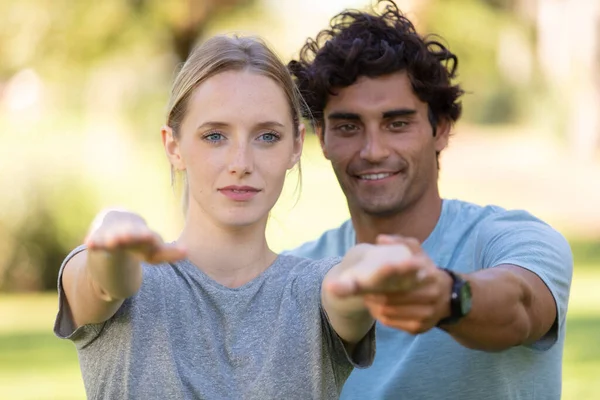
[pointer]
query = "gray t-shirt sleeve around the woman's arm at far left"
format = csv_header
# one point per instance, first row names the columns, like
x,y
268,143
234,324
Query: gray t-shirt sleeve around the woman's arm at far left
x,y
64,326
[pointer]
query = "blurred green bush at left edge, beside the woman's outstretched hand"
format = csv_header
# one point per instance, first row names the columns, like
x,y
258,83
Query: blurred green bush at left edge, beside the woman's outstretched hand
x,y
47,223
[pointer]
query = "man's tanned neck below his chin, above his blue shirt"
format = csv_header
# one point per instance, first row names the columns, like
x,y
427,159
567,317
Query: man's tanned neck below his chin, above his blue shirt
x,y
416,221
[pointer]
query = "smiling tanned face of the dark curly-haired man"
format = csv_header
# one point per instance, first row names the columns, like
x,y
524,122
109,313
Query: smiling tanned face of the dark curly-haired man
x,y
380,142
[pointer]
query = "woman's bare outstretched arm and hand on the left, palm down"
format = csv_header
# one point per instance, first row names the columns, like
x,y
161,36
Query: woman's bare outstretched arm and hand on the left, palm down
x,y
97,281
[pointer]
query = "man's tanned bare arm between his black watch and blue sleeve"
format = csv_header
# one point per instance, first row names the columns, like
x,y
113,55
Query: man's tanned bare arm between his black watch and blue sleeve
x,y
506,310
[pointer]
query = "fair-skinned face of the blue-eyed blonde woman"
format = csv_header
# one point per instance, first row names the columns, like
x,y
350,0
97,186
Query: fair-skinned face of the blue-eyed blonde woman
x,y
236,144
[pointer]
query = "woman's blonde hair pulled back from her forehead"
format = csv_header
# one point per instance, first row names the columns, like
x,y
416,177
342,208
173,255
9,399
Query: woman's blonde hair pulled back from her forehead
x,y
226,53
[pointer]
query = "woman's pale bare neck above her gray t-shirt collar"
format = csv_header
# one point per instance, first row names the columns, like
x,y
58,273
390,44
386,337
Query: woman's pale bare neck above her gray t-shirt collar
x,y
232,256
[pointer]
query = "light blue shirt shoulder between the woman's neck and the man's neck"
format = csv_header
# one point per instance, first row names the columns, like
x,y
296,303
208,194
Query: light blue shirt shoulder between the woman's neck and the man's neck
x,y
333,243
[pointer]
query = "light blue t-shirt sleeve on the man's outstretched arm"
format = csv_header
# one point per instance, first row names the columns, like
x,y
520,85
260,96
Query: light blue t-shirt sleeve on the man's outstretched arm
x,y
518,238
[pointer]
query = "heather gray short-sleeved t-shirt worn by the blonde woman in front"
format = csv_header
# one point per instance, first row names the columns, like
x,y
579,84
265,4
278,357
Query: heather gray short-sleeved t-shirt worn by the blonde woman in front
x,y
184,336
